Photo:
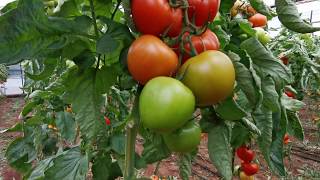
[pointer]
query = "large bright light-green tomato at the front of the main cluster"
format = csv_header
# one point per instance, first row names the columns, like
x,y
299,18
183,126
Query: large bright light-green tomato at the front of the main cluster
x,y
165,104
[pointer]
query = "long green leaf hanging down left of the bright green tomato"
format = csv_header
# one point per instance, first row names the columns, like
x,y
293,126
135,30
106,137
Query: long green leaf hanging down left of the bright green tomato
x,y
86,101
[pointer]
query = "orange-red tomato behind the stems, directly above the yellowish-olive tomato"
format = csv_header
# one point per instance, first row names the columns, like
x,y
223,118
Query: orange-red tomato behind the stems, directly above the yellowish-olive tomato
x,y
206,41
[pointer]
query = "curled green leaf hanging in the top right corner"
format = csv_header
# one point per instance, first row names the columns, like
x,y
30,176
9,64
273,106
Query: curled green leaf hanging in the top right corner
x,y
289,16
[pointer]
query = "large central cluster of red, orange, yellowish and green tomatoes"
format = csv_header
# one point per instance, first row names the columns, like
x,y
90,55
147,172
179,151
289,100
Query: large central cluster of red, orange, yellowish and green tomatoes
x,y
176,80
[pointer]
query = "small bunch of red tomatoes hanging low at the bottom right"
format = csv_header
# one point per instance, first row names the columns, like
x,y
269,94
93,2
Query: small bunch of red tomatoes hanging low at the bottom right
x,y
248,169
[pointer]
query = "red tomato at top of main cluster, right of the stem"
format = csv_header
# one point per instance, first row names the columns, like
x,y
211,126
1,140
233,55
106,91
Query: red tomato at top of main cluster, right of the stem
x,y
203,11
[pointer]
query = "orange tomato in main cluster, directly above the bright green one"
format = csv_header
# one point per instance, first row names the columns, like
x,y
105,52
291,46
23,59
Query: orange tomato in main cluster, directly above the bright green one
x,y
149,57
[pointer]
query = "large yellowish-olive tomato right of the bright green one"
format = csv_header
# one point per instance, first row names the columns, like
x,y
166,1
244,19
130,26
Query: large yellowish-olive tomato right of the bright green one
x,y
210,76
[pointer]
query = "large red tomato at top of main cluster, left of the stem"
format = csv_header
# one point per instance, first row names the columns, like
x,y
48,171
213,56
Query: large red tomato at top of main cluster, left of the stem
x,y
156,16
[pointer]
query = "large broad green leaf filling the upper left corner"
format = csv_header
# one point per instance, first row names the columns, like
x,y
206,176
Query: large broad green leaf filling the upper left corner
x,y
26,32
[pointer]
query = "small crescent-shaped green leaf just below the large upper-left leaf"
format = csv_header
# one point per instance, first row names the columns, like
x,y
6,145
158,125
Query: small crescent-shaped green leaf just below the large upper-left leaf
x,y
49,67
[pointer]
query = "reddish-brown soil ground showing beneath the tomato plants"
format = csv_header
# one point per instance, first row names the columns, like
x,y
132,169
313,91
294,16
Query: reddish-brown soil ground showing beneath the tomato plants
x,y
303,161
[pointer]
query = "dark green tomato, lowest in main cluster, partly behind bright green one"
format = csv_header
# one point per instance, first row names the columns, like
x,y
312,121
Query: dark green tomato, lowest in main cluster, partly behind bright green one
x,y
185,139
